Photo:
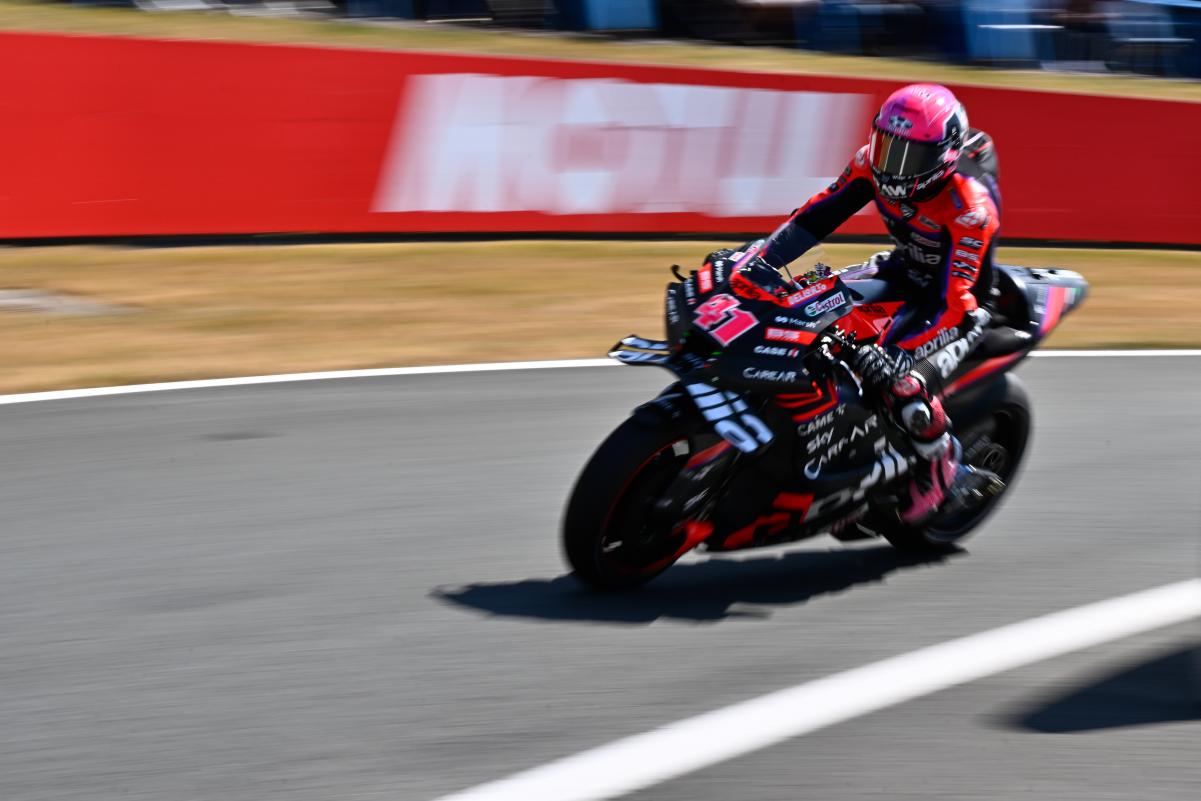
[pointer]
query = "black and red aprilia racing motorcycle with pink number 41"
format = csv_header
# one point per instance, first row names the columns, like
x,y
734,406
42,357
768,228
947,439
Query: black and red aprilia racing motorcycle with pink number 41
x,y
766,435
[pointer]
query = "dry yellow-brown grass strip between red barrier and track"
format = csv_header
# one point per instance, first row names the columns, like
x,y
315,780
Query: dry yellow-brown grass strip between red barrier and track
x,y
198,313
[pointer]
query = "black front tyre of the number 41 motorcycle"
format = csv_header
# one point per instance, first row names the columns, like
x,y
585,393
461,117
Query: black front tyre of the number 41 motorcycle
x,y
611,537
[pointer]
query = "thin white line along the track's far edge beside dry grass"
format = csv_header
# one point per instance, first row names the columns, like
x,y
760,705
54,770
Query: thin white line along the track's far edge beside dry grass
x,y
495,367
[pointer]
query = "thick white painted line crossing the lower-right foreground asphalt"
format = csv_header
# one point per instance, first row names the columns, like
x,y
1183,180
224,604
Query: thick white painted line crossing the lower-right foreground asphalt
x,y
647,760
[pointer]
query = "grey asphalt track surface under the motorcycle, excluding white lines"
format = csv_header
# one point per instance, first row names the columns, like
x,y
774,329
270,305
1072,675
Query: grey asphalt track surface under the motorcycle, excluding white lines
x,y
352,590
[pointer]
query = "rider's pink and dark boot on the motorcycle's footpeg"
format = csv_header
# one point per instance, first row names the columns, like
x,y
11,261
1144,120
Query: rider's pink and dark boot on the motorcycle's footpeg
x,y
942,483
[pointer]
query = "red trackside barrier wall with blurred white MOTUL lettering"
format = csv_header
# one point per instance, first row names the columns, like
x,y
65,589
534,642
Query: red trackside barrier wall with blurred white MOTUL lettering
x,y
127,138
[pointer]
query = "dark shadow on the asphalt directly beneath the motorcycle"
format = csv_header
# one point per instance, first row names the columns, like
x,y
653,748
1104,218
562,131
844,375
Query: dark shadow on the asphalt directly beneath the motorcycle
x,y
706,591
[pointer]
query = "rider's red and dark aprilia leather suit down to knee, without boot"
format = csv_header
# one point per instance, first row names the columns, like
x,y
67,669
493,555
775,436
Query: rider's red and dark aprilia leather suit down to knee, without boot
x,y
941,267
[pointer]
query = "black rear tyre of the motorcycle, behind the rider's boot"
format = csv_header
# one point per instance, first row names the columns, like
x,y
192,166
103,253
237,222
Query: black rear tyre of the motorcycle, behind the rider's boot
x,y
997,443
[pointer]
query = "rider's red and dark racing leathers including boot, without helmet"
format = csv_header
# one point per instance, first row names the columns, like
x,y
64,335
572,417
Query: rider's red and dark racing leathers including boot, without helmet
x,y
941,268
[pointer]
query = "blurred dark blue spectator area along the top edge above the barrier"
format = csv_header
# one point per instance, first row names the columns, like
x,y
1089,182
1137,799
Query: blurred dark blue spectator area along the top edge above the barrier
x,y
1143,37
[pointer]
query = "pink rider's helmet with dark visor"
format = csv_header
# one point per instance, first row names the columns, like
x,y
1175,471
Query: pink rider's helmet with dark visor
x,y
917,140
